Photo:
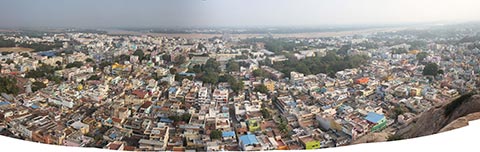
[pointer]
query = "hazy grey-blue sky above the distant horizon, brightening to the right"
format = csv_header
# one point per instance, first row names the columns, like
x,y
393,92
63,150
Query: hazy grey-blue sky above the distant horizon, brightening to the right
x,y
158,13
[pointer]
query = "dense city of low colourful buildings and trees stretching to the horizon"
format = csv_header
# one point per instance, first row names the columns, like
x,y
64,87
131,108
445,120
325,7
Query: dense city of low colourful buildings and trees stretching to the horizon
x,y
154,93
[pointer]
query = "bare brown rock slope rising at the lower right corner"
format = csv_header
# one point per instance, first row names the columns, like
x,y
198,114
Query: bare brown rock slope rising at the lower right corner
x,y
448,116
